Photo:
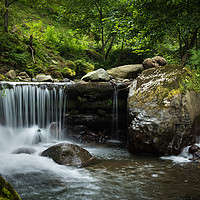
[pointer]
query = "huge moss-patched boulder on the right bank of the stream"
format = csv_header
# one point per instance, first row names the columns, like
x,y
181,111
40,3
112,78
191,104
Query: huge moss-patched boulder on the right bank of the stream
x,y
162,119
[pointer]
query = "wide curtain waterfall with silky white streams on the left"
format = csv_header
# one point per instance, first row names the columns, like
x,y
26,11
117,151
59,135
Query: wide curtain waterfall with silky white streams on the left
x,y
32,112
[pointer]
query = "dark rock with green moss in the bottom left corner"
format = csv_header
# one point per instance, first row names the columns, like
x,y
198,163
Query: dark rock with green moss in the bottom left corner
x,y
6,191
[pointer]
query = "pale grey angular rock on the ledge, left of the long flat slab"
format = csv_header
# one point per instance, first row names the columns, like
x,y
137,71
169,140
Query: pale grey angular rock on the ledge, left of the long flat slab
x,y
98,75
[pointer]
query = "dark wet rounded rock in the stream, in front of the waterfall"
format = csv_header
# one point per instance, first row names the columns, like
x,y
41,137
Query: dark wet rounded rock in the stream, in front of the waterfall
x,y
69,154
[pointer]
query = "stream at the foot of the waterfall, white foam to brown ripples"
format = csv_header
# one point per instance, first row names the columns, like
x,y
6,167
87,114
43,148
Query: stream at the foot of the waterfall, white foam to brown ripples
x,y
119,175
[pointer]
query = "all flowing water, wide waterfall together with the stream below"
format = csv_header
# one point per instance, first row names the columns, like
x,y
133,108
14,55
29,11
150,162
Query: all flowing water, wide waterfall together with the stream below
x,y
119,175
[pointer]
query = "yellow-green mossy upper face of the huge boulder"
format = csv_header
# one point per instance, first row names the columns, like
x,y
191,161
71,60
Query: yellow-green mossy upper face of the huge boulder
x,y
156,85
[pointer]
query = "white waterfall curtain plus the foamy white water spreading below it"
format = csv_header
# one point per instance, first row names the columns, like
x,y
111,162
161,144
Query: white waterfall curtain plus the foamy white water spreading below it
x,y
26,114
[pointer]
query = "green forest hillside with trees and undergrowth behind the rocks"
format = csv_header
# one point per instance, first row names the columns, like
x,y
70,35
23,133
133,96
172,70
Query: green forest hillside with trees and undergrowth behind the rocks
x,y
70,38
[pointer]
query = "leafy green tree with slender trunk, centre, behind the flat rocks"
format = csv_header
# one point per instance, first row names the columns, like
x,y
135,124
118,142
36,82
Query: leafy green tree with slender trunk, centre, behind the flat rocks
x,y
97,18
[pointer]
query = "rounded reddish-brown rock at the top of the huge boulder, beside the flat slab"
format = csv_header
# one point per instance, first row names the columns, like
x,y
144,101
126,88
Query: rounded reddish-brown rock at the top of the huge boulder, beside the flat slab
x,y
154,62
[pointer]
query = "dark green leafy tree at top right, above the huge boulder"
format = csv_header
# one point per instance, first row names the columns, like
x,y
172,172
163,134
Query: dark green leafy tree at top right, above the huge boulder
x,y
159,18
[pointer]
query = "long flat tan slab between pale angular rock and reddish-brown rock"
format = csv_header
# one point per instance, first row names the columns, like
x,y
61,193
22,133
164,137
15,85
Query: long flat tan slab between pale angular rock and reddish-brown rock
x,y
126,71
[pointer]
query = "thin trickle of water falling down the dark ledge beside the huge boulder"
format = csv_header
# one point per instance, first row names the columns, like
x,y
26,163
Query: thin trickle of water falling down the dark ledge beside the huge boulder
x,y
115,113
